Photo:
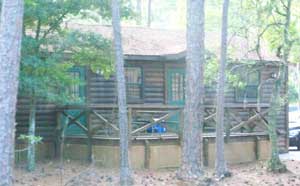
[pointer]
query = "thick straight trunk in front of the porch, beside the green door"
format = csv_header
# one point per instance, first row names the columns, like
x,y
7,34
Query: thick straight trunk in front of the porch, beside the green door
x,y
191,166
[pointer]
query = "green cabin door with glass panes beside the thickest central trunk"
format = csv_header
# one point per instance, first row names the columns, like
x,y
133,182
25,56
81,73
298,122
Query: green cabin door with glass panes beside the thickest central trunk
x,y
175,93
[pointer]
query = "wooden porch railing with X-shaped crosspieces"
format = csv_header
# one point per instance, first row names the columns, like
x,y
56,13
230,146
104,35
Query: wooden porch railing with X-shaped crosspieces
x,y
102,119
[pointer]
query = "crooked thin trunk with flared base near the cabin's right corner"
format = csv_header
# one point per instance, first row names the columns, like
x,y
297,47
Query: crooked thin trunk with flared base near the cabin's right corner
x,y
274,163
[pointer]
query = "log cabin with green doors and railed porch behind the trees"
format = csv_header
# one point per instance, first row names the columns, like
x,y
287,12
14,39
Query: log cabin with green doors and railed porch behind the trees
x,y
155,73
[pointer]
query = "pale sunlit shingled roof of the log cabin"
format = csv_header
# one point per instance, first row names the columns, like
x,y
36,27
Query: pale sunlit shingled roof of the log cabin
x,y
149,43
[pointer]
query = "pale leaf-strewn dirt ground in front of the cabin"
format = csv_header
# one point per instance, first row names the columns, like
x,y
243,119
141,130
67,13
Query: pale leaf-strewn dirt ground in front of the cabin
x,y
76,174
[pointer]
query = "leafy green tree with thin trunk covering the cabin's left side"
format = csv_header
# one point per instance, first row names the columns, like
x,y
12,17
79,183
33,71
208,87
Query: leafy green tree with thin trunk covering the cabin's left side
x,y
50,50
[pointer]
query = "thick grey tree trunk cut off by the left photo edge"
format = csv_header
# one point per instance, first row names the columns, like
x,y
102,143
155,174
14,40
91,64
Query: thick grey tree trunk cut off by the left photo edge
x,y
10,47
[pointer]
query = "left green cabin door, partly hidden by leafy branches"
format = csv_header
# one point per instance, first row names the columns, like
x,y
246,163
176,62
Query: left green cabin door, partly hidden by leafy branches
x,y
78,93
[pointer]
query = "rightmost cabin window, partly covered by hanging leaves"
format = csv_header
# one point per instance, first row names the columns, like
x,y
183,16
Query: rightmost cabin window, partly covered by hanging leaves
x,y
249,91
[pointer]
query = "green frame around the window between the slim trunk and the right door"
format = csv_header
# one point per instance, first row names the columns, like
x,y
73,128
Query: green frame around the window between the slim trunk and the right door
x,y
141,99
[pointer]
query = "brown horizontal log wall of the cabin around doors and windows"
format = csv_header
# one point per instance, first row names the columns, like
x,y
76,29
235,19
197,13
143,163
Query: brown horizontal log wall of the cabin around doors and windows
x,y
102,91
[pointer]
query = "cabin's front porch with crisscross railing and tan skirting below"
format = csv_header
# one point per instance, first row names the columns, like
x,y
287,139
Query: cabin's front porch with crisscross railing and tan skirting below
x,y
156,131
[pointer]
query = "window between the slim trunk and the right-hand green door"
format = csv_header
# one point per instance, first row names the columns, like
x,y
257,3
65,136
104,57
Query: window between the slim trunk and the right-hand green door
x,y
133,77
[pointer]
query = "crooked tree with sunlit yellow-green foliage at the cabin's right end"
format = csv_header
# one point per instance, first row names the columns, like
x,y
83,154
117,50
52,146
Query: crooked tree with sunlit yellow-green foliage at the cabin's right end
x,y
276,22
